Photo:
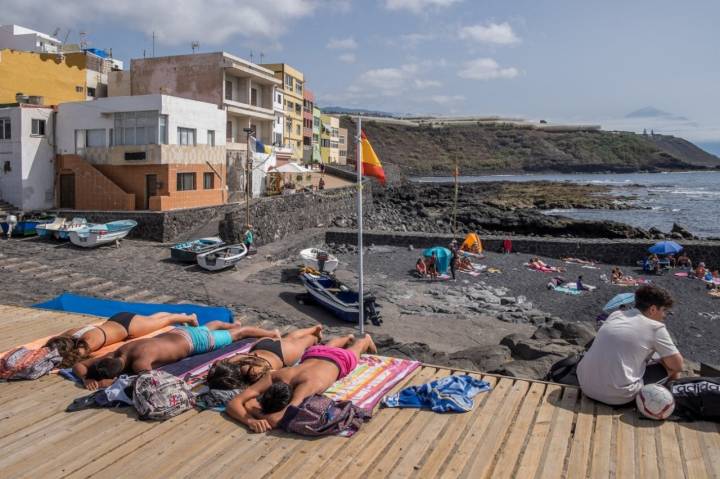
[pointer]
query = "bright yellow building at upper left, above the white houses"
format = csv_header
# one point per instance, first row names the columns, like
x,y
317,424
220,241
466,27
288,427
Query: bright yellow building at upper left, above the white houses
x,y
46,75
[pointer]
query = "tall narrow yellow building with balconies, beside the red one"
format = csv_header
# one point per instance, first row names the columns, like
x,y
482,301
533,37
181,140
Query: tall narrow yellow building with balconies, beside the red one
x,y
293,82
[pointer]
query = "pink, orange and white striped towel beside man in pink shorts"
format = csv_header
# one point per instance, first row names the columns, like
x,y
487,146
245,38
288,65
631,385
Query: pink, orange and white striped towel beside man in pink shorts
x,y
373,377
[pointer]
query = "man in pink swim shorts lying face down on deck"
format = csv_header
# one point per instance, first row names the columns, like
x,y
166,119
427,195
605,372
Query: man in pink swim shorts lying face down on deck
x,y
262,406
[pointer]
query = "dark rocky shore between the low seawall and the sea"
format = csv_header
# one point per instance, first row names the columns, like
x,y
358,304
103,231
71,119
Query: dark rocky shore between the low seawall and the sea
x,y
500,208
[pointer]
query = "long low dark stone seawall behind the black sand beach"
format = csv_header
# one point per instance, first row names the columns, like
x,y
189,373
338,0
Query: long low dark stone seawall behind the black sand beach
x,y
621,251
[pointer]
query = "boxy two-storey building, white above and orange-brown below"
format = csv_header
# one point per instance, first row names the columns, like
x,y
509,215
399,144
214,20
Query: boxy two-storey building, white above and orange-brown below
x,y
148,152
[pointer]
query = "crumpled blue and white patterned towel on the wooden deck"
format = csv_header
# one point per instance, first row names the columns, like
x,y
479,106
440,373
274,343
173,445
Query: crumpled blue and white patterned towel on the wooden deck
x,y
449,394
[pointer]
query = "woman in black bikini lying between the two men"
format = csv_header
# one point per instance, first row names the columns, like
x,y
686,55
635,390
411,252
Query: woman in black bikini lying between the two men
x,y
266,355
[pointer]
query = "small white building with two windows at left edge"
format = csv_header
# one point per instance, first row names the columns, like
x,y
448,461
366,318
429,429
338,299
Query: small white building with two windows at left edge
x,y
26,156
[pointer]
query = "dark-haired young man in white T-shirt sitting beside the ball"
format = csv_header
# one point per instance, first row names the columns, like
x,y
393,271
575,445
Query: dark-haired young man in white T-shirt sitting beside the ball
x,y
616,367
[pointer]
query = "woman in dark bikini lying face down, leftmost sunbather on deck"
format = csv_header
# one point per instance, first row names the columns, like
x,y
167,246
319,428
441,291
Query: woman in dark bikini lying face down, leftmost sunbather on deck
x,y
77,344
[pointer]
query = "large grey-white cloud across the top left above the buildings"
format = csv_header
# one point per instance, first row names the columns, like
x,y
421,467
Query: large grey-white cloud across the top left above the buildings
x,y
212,22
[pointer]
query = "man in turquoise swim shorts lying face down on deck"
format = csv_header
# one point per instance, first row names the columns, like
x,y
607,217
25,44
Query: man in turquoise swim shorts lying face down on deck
x,y
146,354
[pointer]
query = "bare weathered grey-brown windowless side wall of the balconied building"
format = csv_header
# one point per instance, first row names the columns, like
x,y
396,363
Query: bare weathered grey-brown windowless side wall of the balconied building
x,y
197,76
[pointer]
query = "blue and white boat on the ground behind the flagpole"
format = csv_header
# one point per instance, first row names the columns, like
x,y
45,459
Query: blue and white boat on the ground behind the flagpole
x,y
339,299
